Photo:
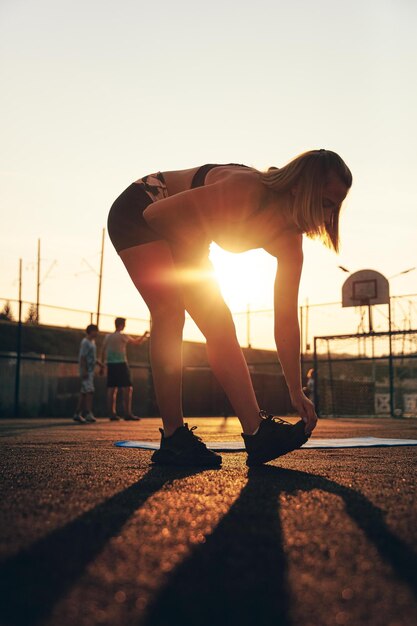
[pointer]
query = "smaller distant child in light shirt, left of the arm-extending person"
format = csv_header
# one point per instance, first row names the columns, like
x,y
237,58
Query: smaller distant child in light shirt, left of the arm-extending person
x,y
87,361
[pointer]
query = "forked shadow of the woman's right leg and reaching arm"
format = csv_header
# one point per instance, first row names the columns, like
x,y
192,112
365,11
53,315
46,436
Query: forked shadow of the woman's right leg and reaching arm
x,y
239,575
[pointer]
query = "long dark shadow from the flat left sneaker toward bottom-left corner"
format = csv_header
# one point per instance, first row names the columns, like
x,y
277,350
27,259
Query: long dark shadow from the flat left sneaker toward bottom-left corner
x,y
34,580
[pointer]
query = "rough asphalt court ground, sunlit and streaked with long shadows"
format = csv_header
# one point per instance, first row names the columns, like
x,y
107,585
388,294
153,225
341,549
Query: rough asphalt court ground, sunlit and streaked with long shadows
x,y
93,534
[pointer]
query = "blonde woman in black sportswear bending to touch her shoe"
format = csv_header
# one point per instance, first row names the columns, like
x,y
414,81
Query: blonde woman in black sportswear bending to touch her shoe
x,y
162,226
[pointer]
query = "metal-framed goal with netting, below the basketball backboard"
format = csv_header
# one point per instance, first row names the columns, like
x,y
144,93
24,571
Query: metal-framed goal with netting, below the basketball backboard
x,y
366,374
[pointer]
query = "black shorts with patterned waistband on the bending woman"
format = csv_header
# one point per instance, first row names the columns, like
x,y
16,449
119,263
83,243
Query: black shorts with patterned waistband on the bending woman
x,y
126,225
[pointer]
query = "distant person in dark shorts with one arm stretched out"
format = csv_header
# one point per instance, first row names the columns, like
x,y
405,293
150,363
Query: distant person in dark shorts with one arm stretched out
x,y
118,374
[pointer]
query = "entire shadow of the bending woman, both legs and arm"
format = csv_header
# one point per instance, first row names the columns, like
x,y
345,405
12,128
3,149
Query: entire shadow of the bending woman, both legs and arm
x,y
238,576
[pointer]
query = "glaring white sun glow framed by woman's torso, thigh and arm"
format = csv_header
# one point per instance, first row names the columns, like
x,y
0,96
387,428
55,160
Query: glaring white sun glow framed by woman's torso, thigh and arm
x,y
245,279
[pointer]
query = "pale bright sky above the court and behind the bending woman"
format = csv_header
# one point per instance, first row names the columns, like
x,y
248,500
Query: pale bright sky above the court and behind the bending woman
x,y
96,94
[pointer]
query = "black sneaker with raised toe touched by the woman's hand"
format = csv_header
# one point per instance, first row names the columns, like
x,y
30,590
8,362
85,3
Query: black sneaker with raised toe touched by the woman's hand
x,y
274,438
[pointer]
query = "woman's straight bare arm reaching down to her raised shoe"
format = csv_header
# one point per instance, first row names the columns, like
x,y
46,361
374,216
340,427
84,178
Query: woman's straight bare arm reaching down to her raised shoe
x,y
287,330
